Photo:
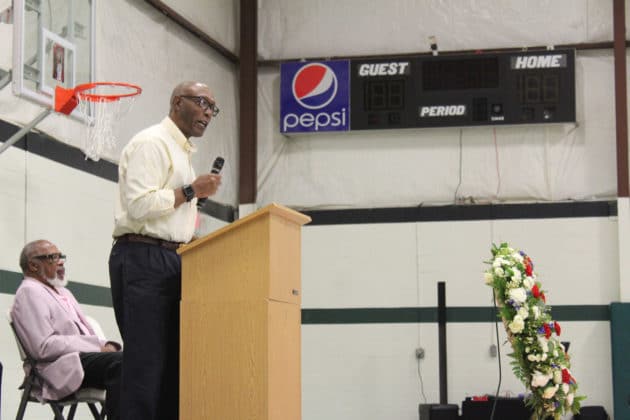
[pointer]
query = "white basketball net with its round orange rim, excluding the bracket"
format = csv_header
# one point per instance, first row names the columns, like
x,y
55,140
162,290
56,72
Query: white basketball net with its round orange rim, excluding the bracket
x,y
101,116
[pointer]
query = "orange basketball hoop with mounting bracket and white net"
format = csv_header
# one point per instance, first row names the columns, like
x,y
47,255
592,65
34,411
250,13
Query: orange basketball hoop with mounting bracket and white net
x,y
101,104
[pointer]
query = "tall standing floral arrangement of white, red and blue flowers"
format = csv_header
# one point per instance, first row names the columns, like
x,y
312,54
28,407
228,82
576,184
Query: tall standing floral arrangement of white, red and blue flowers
x,y
540,360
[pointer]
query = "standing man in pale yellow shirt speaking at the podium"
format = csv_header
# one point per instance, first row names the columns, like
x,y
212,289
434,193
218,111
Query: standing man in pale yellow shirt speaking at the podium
x,y
156,212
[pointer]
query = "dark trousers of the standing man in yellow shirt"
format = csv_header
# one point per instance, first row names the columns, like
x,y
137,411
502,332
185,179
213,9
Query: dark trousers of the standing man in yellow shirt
x,y
146,290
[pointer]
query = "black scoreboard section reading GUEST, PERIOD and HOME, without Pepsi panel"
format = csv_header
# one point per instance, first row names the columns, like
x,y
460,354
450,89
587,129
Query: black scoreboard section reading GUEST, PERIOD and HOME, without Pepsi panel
x,y
463,90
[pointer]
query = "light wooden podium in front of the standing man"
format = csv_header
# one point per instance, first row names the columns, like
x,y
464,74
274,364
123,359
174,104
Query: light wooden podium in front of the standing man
x,y
240,342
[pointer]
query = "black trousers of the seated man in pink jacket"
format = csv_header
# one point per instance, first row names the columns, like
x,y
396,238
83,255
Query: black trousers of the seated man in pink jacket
x,y
103,370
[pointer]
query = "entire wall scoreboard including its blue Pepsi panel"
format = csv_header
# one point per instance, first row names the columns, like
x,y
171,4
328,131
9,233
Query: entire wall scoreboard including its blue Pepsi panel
x,y
525,87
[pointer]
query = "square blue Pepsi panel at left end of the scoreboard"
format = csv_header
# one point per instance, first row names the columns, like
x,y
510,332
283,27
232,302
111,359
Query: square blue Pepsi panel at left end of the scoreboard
x,y
314,96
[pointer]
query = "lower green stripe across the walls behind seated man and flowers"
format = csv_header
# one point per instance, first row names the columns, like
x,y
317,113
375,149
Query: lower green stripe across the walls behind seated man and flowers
x,y
100,296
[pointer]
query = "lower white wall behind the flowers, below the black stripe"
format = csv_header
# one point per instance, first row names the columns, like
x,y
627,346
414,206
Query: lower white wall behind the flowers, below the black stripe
x,y
369,371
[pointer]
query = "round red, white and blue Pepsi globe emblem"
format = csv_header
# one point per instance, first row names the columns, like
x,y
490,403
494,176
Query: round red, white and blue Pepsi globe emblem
x,y
314,86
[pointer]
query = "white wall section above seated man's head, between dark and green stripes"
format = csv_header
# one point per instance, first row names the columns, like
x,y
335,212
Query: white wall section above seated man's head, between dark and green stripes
x,y
46,200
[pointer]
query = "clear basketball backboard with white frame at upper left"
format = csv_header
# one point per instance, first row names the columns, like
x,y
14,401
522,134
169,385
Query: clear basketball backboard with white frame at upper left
x,y
53,45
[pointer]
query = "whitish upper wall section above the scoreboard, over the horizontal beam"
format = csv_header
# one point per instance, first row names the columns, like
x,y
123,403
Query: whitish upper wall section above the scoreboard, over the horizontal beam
x,y
326,28
